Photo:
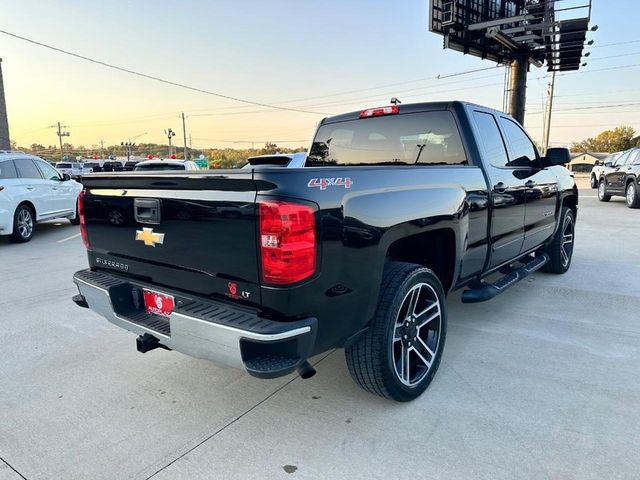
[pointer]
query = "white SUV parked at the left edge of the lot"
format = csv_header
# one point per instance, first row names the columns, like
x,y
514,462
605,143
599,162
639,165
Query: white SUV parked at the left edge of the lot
x,y
31,190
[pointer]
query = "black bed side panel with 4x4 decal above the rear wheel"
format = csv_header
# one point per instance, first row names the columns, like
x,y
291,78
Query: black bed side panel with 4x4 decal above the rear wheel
x,y
356,226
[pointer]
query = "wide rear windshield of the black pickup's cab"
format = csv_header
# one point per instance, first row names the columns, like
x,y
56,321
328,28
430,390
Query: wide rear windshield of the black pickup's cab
x,y
427,138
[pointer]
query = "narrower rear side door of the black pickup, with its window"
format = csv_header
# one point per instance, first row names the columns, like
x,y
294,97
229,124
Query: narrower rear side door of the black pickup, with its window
x,y
508,196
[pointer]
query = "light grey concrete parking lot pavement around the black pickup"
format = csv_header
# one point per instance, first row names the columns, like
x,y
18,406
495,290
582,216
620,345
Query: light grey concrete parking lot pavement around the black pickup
x,y
541,382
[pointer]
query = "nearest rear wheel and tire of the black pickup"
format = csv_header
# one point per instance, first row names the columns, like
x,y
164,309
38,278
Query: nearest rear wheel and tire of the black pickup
x,y
373,359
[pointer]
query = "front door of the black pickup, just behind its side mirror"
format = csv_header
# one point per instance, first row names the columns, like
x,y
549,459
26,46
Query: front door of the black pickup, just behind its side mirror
x,y
541,185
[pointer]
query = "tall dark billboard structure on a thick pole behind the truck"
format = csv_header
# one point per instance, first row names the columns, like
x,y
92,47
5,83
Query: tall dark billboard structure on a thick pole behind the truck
x,y
518,33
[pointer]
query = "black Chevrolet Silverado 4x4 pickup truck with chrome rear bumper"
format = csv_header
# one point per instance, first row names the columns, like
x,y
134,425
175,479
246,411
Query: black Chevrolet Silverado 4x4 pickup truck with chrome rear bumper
x,y
263,268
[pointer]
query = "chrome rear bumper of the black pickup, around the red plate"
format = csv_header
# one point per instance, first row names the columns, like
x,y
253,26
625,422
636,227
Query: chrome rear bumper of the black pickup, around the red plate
x,y
200,327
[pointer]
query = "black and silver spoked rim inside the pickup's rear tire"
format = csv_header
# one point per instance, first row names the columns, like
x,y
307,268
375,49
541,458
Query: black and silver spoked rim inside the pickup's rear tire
x,y
416,334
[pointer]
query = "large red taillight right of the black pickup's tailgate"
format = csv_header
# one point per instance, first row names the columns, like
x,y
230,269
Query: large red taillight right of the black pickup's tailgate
x,y
287,242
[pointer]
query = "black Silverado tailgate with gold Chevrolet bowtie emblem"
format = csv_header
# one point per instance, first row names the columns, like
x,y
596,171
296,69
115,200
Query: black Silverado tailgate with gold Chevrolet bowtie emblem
x,y
194,232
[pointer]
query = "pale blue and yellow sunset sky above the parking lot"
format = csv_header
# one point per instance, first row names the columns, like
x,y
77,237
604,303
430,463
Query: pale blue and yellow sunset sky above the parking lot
x,y
324,57
